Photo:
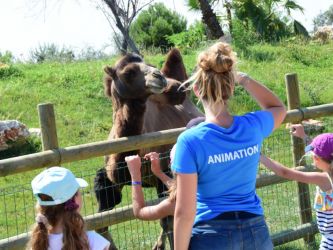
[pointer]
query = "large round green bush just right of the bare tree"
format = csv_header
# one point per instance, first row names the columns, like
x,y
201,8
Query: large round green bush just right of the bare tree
x,y
153,26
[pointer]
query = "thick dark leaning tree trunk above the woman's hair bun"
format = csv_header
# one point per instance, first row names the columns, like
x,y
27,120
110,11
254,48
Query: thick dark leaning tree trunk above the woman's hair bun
x,y
210,19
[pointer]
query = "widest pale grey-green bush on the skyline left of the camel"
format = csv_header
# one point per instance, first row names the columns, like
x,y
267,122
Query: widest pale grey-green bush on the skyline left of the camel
x,y
51,52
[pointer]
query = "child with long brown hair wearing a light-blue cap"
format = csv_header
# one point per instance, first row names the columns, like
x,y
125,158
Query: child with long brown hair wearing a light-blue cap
x,y
59,224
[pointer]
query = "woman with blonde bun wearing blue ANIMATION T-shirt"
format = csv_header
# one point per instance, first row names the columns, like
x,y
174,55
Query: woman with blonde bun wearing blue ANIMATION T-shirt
x,y
216,162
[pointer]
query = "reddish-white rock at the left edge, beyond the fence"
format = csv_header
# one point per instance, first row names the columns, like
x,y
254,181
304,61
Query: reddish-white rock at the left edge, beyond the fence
x,y
12,132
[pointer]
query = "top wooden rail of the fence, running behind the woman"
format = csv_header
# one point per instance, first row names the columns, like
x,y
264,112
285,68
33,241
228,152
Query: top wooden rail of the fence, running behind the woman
x,y
90,150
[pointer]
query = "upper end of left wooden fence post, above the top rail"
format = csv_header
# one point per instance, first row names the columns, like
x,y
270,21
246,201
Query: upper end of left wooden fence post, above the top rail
x,y
48,126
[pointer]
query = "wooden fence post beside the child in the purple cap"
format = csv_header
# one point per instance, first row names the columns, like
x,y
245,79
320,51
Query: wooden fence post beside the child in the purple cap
x,y
294,102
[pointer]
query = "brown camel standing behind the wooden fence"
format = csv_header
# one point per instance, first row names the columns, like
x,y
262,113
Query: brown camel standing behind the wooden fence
x,y
144,100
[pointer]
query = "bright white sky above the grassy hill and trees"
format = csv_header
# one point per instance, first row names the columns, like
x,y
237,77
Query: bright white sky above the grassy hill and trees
x,y
78,24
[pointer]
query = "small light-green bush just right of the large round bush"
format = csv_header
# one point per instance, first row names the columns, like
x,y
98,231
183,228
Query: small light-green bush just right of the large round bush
x,y
192,38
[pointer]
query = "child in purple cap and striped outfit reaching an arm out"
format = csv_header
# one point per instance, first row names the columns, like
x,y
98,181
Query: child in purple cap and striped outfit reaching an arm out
x,y
321,149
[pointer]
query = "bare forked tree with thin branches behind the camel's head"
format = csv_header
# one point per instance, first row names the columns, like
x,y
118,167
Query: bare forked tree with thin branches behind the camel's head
x,y
123,14
